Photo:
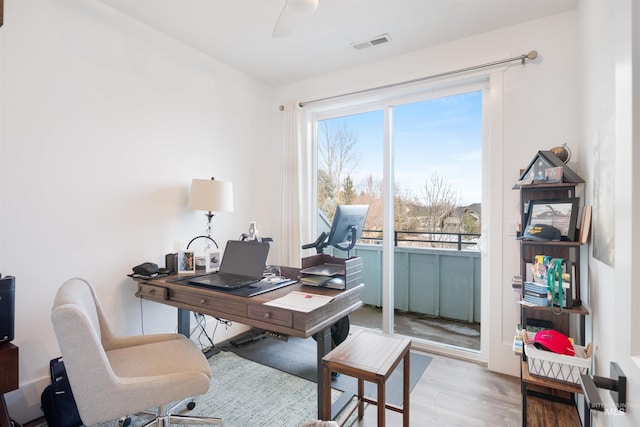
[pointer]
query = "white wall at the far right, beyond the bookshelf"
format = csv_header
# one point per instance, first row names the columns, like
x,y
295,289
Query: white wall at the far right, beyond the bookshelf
x,y
610,71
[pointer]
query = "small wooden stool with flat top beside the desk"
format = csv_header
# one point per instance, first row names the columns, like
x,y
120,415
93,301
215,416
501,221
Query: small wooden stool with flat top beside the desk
x,y
369,356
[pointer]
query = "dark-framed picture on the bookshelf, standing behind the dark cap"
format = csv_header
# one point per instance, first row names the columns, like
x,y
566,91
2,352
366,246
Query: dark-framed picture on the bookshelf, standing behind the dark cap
x,y
559,213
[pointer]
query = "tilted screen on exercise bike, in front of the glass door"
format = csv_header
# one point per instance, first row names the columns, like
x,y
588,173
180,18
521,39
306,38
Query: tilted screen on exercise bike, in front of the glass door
x,y
347,226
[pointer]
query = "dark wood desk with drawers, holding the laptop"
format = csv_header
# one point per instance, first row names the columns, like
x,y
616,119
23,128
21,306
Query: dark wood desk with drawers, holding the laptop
x,y
251,311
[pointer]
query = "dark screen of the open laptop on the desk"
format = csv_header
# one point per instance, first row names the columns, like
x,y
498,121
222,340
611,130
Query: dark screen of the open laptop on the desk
x,y
246,258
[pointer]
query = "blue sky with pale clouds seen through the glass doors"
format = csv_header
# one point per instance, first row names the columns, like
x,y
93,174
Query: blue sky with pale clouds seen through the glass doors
x,y
441,135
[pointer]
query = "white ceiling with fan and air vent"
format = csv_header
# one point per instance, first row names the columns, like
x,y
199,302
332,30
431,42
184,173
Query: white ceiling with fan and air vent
x,y
239,32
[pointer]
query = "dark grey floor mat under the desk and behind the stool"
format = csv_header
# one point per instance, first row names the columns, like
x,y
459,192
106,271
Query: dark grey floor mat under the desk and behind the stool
x,y
297,356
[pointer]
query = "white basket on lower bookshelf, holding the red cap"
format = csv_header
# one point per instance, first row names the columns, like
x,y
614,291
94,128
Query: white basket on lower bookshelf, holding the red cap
x,y
559,367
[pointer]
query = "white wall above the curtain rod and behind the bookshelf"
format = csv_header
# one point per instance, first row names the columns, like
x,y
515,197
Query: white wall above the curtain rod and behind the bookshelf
x,y
540,112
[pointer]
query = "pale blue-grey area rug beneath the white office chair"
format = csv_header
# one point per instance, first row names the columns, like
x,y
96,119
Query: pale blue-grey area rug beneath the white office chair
x,y
248,394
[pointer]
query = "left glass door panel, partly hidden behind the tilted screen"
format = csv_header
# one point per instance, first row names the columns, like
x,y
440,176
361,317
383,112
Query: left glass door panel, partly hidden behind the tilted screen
x,y
350,150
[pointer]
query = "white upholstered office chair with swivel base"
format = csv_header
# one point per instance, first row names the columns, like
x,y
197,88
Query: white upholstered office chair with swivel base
x,y
114,376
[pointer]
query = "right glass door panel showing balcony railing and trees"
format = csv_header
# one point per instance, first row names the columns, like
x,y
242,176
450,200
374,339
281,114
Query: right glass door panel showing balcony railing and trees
x,y
437,152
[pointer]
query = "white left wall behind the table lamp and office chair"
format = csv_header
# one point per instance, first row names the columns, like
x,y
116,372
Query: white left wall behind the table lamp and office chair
x,y
104,124
